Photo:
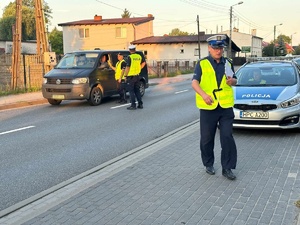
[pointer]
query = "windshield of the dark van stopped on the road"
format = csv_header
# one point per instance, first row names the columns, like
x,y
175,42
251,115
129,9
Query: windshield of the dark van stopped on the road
x,y
78,60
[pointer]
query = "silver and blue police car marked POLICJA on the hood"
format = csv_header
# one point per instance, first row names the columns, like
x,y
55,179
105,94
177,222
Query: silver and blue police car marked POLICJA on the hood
x,y
267,95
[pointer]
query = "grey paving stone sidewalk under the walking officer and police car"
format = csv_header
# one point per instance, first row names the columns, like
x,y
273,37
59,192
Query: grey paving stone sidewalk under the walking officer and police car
x,y
165,183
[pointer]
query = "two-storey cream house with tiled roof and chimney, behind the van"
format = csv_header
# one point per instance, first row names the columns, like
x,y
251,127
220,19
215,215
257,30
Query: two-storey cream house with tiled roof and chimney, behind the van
x,y
116,33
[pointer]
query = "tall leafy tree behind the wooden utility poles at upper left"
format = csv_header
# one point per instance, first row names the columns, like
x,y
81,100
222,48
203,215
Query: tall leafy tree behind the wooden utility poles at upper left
x,y
28,19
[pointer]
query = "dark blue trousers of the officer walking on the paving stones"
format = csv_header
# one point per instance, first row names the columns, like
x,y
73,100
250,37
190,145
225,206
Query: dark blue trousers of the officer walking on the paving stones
x,y
209,120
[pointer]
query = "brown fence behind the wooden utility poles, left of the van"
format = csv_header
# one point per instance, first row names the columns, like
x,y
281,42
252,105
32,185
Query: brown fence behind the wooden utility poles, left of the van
x,y
30,76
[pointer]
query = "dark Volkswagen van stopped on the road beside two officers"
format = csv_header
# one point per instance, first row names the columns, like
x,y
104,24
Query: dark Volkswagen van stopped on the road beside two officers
x,y
80,75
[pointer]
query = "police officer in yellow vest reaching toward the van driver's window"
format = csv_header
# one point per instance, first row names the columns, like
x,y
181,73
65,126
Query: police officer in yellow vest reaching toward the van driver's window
x,y
119,76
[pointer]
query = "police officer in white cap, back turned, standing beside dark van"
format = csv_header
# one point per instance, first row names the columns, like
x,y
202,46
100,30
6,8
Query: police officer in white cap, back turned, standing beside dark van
x,y
135,64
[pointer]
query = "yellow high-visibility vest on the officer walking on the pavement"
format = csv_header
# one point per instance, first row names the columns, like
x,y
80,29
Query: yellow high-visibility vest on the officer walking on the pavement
x,y
222,95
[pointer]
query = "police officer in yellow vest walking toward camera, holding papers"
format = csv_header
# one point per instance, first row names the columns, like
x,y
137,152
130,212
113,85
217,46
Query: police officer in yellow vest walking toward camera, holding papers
x,y
212,81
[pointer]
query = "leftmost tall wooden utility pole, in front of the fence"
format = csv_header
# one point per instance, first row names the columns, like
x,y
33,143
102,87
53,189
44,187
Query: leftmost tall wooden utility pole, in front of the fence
x,y
17,38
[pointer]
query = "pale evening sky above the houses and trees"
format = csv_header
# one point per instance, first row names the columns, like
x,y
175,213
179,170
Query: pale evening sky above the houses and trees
x,y
214,15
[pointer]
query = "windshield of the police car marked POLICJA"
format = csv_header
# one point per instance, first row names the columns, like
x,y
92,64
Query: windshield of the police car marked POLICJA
x,y
264,75
